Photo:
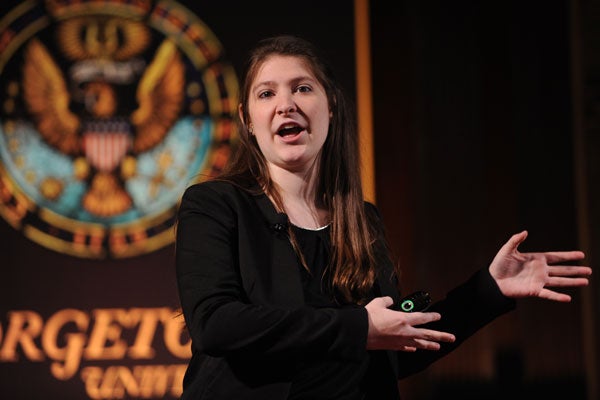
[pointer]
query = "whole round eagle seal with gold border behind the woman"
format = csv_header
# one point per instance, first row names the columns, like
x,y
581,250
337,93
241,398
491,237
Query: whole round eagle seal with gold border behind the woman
x,y
108,111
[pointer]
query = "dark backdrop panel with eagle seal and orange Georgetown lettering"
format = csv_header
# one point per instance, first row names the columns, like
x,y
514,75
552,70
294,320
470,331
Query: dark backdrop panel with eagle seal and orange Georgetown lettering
x,y
108,111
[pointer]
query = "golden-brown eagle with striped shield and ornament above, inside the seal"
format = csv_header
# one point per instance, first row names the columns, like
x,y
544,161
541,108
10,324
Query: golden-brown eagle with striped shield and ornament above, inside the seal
x,y
105,137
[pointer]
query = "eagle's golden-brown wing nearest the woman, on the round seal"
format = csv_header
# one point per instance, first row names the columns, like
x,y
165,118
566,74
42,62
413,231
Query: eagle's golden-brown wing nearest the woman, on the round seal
x,y
159,96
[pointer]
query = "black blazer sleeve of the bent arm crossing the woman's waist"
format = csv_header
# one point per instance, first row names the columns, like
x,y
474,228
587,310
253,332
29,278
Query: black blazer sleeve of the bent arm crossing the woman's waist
x,y
222,322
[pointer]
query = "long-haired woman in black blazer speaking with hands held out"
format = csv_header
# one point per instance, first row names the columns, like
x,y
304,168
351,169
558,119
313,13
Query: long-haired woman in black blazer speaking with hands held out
x,y
286,284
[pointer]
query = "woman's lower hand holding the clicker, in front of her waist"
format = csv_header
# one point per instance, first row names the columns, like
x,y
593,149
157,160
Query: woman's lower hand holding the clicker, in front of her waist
x,y
397,330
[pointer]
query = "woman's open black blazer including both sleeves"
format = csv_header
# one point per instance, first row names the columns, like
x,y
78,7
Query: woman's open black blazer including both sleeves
x,y
243,303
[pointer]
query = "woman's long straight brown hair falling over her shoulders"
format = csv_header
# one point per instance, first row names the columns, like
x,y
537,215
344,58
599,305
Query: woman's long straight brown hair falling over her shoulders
x,y
338,183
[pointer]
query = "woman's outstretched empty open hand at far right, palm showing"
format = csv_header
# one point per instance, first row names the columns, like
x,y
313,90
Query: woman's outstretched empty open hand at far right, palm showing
x,y
532,274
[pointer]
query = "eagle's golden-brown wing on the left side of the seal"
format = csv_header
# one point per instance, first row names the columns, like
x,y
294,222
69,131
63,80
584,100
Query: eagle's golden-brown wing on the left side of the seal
x,y
47,99
